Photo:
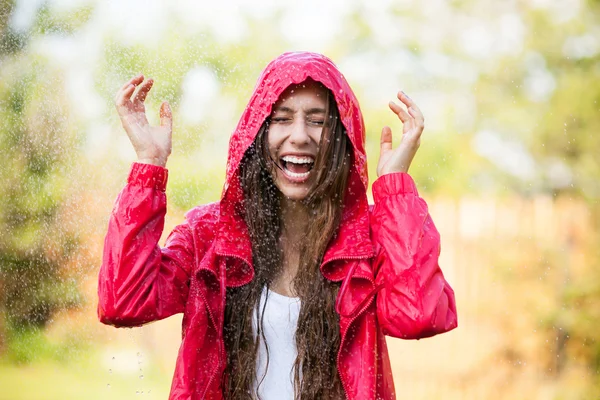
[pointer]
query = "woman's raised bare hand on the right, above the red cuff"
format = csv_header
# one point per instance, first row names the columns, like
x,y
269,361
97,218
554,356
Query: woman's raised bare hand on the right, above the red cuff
x,y
399,159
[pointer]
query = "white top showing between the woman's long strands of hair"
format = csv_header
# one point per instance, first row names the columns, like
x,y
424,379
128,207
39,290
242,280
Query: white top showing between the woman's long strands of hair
x,y
280,321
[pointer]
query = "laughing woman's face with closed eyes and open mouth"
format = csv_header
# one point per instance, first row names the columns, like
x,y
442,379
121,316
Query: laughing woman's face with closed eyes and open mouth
x,y
294,135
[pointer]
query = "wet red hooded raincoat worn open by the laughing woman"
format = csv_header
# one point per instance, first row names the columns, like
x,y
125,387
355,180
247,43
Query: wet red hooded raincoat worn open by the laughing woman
x,y
385,255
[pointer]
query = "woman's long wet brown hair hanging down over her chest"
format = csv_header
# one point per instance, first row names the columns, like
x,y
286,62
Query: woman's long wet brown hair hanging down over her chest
x,y
317,334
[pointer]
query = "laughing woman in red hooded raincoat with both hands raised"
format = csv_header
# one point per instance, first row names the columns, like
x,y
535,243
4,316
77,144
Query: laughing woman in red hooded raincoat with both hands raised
x,y
289,283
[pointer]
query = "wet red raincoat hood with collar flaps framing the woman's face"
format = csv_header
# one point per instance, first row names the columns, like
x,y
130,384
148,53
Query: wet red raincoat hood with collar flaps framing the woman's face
x,y
353,238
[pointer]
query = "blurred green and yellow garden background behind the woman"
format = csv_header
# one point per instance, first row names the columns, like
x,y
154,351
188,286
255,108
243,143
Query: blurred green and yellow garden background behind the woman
x,y
508,164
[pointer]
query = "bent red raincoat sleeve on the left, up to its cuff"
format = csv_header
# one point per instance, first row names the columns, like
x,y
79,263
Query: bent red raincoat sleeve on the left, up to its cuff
x,y
139,282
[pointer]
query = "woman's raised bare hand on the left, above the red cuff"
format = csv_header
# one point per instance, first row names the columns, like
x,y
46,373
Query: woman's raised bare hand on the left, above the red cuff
x,y
152,144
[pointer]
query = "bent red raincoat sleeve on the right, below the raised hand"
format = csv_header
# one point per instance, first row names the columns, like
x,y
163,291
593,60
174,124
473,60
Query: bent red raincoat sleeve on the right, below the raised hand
x,y
415,301
